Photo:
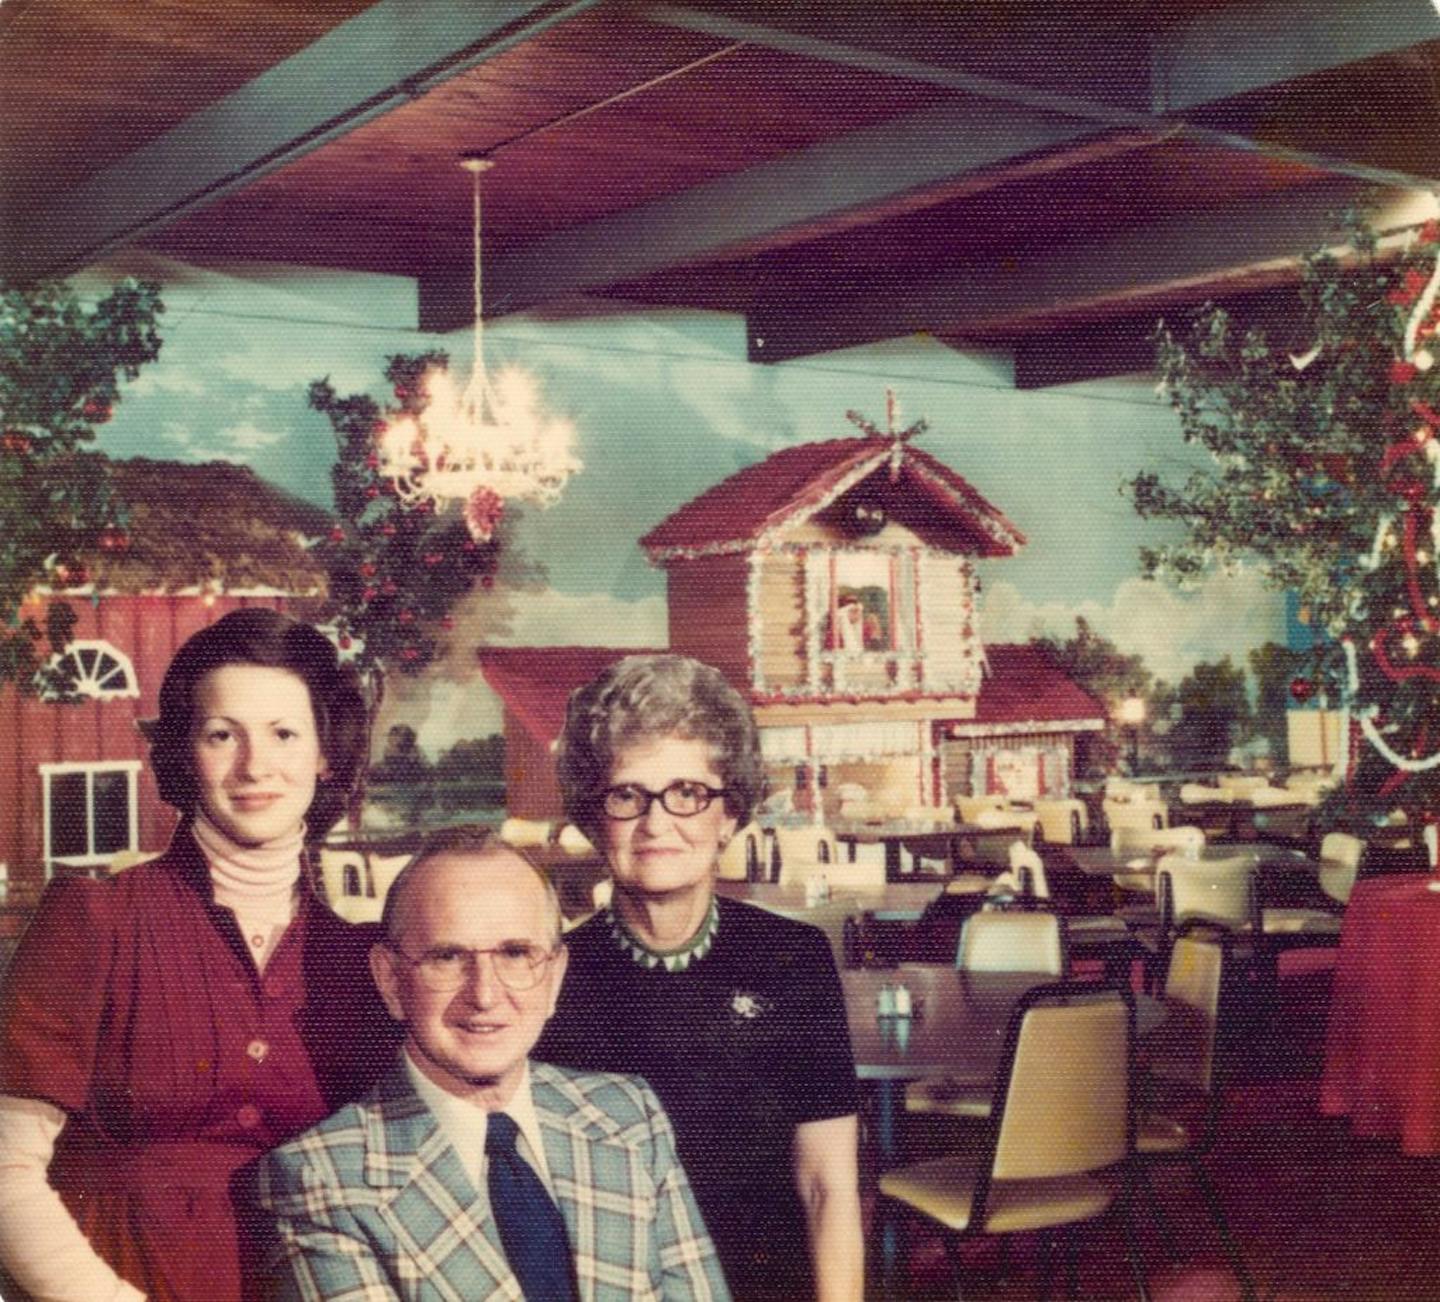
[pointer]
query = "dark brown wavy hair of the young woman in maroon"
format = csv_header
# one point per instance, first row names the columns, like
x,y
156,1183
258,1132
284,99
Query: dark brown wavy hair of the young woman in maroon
x,y
269,639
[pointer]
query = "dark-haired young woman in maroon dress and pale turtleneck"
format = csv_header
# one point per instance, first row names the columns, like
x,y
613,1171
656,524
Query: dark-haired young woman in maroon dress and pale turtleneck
x,y
166,1028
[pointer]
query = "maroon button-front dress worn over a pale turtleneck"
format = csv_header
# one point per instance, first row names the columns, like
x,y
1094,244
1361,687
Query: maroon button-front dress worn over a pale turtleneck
x,y
133,1006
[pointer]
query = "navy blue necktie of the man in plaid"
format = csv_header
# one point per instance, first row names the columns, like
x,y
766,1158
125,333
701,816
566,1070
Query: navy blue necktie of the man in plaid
x,y
531,1225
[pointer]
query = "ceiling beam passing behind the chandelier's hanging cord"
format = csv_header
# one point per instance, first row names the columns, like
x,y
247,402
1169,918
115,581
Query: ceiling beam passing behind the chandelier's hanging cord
x,y
810,192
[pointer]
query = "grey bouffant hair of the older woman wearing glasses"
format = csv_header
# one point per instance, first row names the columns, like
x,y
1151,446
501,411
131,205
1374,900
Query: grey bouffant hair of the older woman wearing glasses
x,y
647,698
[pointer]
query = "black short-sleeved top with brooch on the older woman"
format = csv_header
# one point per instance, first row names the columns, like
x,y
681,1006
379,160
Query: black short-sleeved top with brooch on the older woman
x,y
742,1046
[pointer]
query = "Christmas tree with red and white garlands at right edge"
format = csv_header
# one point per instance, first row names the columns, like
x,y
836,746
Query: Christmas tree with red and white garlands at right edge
x,y
1324,472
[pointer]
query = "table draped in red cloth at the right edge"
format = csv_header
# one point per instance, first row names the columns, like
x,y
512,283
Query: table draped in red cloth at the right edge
x,y
1383,1039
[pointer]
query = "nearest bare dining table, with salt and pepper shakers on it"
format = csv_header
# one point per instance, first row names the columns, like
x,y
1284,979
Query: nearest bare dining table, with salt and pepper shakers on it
x,y
957,1031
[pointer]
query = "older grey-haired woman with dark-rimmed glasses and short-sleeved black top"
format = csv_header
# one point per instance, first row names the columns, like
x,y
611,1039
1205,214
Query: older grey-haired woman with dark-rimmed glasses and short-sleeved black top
x,y
735,1016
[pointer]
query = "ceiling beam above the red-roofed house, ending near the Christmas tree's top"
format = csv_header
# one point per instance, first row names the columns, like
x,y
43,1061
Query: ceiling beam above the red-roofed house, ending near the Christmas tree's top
x,y
1196,256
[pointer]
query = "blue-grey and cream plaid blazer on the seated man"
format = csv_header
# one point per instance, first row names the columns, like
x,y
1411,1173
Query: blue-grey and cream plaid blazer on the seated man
x,y
374,1203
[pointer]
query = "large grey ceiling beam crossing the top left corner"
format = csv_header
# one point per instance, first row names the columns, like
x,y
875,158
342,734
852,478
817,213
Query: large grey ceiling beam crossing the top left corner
x,y
381,58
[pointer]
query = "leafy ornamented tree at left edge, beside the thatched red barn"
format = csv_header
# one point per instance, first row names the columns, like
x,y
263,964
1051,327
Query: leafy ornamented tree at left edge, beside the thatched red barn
x,y
61,367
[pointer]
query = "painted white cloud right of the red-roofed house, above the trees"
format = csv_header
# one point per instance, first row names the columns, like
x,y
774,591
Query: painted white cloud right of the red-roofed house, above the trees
x,y
1173,630
